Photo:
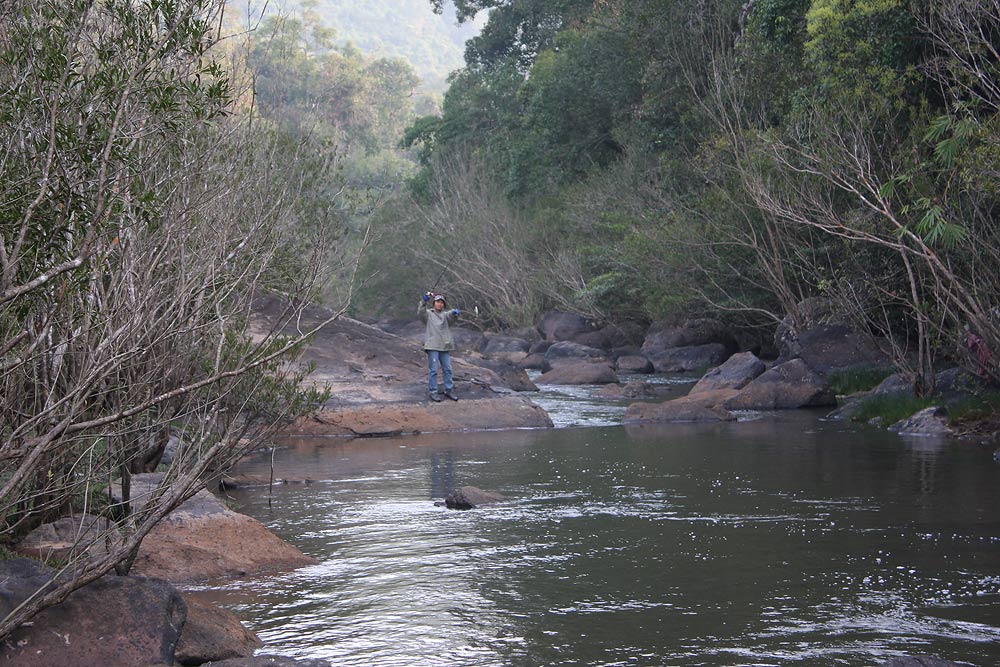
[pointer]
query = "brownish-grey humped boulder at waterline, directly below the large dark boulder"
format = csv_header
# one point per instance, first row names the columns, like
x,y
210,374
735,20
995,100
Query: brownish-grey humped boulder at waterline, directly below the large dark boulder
x,y
787,386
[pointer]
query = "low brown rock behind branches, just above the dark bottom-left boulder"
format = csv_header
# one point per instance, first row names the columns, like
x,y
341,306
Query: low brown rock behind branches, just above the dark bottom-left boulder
x,y
65,538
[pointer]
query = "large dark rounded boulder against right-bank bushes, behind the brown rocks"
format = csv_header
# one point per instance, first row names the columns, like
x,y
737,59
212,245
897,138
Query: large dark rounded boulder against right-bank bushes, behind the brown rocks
x,y
825,341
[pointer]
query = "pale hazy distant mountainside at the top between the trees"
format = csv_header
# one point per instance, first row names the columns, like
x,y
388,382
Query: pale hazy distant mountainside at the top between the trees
x,y
433,44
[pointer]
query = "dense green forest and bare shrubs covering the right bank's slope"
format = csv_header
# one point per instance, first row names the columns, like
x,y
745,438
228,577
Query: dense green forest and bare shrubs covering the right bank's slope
x,y
655,158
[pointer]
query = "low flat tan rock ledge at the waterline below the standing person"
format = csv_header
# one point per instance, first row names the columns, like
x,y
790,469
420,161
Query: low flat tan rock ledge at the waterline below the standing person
x,y
410,418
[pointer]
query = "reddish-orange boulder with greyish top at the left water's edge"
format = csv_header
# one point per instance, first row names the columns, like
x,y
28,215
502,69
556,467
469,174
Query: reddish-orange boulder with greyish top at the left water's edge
x,y
203,539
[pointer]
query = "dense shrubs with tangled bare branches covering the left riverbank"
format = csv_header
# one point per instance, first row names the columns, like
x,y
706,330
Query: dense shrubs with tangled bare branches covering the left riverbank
x,y
155,180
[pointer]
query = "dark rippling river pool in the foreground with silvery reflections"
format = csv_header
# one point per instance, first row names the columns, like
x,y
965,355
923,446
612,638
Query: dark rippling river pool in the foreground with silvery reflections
x,y
784,540
